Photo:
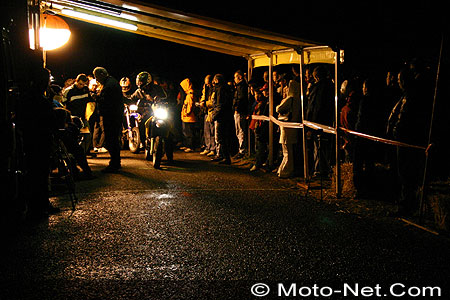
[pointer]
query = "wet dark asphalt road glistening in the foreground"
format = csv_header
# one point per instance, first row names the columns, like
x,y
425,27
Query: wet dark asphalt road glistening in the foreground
x,y
197,230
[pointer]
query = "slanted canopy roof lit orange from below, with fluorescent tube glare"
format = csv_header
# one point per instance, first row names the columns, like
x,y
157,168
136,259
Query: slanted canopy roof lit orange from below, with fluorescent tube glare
x,y
184,28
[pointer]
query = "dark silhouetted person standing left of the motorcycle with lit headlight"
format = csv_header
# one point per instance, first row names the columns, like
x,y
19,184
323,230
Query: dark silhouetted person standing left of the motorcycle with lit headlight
x,y
110,109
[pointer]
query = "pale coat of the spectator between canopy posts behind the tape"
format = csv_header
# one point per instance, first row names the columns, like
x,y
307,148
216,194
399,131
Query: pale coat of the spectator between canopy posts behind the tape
x,y
290,104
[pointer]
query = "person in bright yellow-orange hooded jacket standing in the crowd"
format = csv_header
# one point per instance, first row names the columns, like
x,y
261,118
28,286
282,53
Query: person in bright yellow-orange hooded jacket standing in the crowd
x,y
188,116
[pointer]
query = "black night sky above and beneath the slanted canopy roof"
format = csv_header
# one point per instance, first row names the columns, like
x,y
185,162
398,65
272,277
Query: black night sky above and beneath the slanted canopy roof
x,y
372,33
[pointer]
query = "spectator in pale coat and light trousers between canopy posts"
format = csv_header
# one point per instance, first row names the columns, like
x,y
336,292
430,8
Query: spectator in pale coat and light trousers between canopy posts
x,y
289,136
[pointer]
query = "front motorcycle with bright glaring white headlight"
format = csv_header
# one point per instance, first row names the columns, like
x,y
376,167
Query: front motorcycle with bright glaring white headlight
x,y
159,140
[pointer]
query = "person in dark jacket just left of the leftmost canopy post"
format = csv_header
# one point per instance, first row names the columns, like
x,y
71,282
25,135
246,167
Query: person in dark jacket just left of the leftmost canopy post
x,y
240,107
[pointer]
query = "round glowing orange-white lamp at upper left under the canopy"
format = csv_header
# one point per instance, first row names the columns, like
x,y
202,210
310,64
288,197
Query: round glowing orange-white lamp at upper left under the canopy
x,y
53,33
